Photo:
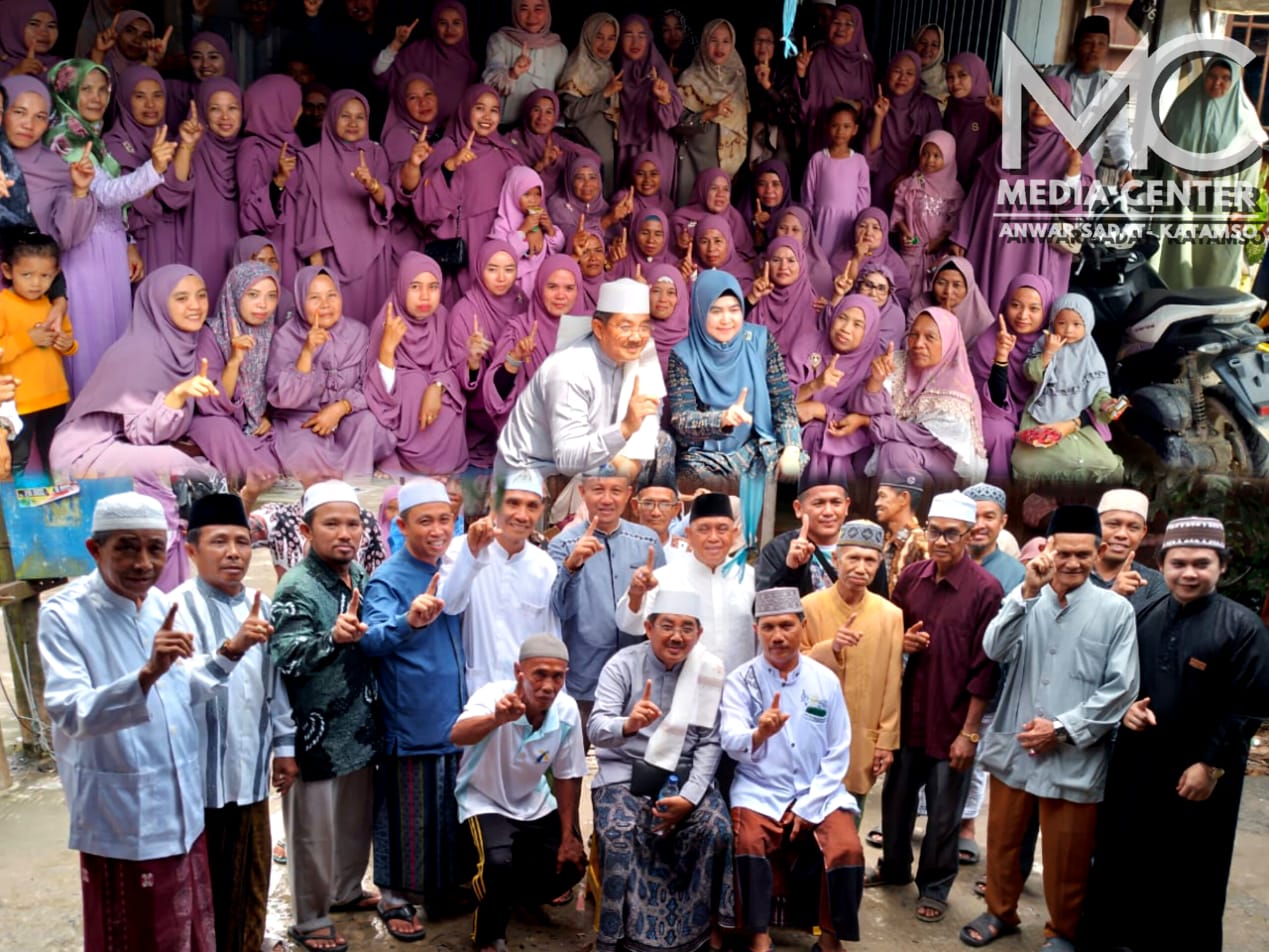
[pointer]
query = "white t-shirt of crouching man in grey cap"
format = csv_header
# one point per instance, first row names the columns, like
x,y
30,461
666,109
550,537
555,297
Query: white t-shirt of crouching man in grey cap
x,y
506,774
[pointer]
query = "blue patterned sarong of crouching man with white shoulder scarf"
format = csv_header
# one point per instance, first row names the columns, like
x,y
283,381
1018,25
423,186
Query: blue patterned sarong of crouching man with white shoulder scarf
x,y
661,894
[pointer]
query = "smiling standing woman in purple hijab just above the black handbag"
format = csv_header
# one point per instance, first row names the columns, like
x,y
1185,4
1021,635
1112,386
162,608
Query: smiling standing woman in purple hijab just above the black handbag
x,y
463,178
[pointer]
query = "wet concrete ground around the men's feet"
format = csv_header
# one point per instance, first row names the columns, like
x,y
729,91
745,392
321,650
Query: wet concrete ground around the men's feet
x,y
40,893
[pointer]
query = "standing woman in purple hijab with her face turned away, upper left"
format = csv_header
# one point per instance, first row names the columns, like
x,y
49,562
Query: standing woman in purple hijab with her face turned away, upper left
x,y
268,168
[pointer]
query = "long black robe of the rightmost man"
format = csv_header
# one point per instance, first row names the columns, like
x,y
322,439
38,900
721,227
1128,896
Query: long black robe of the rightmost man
x,y
1163,864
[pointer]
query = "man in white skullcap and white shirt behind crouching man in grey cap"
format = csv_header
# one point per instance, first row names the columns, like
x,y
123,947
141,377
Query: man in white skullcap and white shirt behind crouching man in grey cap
x,y
498,583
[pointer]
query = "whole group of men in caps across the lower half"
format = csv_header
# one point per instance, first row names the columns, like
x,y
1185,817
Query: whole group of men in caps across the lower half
x,y
438,714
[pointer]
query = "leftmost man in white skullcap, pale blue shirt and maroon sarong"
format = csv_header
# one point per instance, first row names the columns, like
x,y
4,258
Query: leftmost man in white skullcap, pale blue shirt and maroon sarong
x,y
126,737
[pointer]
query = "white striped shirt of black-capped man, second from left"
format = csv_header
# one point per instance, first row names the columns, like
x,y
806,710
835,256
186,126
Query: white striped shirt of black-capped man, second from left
x,y
252,722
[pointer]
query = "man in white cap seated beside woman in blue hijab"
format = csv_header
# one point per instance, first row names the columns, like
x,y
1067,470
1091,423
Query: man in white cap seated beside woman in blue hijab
x,y
578,411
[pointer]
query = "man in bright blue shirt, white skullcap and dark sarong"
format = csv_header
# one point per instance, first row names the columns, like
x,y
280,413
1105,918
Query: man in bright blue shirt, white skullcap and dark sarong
x,y
418,659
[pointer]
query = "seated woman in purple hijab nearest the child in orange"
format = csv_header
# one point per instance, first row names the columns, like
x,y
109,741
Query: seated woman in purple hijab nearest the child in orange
x,y
131,412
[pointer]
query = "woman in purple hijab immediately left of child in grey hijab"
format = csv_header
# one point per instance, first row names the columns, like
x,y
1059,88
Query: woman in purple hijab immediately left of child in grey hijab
x,y
998,366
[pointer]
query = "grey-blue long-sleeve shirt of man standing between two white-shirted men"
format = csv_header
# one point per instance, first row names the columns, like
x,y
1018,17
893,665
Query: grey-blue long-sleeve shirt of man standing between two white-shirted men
x,y
586,601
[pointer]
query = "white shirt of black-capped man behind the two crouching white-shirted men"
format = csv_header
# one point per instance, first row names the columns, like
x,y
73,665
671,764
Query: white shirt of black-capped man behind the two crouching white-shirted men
x,y
727,609
